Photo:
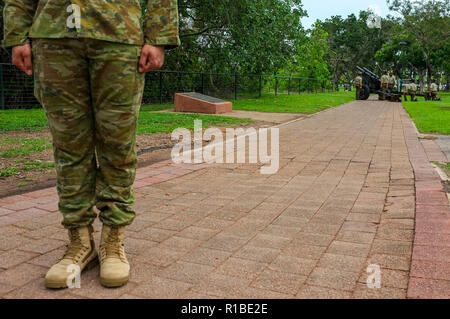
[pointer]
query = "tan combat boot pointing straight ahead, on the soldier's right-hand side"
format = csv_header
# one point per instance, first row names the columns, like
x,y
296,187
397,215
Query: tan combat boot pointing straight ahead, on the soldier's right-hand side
x,y
114,266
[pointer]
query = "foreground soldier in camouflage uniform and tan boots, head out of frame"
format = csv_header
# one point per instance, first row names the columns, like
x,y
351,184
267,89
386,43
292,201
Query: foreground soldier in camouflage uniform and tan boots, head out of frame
x,y
89,60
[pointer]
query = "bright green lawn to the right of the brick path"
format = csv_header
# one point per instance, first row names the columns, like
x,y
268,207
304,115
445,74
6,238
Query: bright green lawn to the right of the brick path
x,y
431,117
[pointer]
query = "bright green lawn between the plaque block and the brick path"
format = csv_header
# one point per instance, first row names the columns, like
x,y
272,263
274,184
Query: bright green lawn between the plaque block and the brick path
x,y
295,103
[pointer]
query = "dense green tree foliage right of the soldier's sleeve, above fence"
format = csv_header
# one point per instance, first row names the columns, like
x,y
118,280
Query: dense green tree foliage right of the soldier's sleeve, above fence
x,y
243,36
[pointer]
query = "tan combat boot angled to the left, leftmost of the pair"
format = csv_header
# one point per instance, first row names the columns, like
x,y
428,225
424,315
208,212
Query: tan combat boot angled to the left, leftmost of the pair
x,y
80,252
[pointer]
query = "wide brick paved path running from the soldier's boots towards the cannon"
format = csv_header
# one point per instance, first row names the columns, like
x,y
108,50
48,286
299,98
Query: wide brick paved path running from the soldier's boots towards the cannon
x,y
343,199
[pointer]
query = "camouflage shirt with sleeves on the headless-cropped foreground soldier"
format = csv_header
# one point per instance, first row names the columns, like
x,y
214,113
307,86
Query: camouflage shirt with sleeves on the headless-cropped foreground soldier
x,y
110,20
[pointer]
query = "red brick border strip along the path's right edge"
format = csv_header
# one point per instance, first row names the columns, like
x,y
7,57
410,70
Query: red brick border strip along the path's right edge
x,y
430,267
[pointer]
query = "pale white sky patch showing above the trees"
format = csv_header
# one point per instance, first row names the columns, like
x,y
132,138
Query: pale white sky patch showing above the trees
x,y
322,9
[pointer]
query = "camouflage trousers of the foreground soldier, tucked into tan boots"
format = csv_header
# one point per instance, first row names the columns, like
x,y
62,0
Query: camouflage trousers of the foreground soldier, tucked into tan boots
x,y
91,92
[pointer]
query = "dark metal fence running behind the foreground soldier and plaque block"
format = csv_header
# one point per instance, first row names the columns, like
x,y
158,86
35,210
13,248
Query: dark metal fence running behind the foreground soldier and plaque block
x,y
16,89
